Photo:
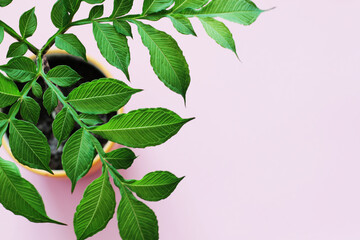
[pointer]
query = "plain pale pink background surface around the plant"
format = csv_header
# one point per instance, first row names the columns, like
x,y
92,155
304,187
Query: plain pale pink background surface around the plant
x,y
274,151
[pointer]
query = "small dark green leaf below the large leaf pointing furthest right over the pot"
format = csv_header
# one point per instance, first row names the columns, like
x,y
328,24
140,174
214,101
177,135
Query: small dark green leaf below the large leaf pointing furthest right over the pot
x,y
121,158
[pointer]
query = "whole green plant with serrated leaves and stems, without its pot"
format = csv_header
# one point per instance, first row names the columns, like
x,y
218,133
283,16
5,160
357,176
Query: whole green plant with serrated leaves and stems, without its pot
x,y
28,80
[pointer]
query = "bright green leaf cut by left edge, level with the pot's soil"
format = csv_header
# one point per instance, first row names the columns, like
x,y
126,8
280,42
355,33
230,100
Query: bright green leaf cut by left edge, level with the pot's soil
x,y
9,92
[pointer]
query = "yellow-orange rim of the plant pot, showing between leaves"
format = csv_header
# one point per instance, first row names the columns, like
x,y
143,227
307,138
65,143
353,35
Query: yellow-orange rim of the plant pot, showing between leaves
x,y
96,162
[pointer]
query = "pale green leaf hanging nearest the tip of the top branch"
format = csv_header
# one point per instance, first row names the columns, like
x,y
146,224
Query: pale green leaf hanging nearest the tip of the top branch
x,y
219,32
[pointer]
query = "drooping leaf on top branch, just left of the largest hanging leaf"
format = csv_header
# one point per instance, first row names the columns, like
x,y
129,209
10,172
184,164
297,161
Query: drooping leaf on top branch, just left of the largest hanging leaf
x,y
113,46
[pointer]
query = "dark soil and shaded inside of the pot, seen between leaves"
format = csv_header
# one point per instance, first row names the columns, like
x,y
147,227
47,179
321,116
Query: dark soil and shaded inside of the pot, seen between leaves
x,y
88,72
